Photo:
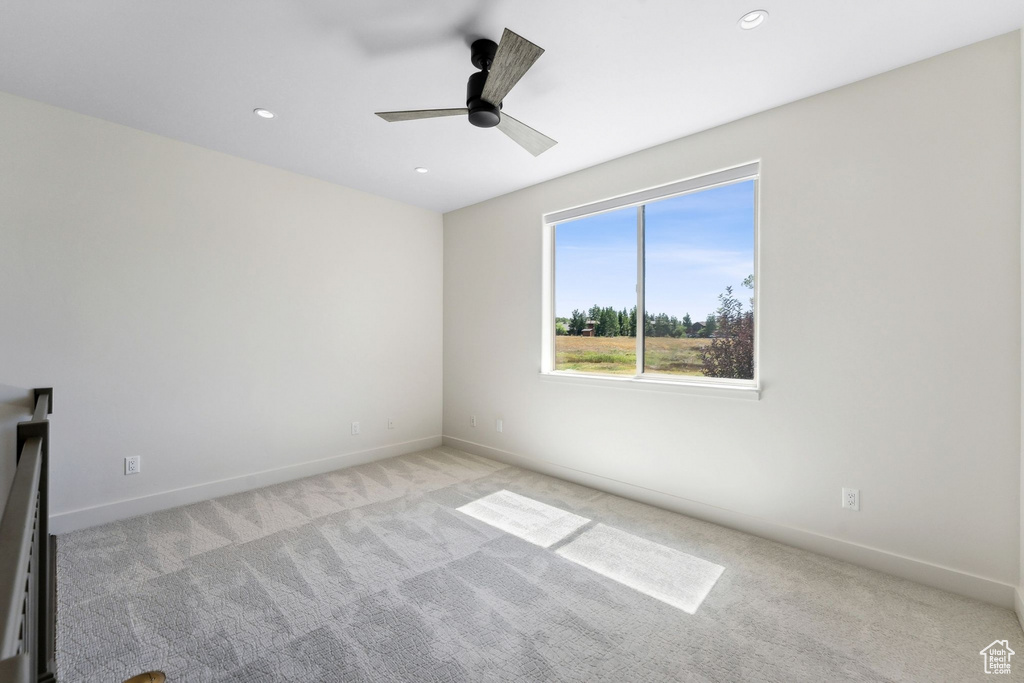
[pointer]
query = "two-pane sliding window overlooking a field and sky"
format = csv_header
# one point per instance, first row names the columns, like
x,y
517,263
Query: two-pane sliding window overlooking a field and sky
x,y
686,254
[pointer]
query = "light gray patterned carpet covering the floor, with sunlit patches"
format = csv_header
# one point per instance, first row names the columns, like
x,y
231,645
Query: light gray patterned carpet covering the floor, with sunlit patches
x,y
374,574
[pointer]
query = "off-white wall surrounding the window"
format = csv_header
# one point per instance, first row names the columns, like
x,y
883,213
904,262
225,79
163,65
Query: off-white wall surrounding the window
x,y
890,340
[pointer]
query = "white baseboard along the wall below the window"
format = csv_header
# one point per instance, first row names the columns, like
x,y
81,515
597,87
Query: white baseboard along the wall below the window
x,y
962,583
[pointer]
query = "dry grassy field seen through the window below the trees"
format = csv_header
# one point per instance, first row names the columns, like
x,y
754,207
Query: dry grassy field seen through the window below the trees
x,y
617,356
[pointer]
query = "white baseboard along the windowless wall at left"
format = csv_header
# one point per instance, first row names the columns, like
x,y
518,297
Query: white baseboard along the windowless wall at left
x,y
102,515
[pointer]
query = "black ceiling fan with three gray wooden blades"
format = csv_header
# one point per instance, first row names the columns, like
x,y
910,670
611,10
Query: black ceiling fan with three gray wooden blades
x,y
501,68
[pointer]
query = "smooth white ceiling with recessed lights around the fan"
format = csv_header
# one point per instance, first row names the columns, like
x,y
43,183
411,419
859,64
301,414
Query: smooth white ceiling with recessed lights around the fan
x,y
617,77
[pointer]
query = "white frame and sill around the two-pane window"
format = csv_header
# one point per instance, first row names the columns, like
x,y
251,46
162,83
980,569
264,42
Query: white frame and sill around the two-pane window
x,y
643,379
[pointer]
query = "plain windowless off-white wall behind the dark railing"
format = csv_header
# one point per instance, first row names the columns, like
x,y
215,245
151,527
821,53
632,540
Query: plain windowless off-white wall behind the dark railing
x,y
218,317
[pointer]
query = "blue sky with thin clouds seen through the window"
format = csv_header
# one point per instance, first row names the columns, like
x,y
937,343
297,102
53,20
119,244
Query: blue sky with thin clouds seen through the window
x,y
697,245
